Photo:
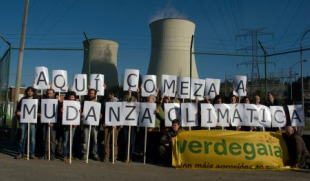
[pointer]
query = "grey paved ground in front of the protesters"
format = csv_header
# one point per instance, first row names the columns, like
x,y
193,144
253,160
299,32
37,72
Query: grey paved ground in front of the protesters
x,y
40,169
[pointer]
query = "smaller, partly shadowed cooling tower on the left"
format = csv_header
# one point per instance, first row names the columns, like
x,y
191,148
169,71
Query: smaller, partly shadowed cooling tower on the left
x,y
102,59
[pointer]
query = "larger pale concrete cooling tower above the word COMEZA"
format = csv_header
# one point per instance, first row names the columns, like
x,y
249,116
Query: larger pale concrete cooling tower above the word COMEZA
x,y
170,52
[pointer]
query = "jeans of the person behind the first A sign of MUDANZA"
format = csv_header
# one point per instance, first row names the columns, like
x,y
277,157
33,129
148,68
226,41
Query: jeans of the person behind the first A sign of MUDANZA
x,y
93,139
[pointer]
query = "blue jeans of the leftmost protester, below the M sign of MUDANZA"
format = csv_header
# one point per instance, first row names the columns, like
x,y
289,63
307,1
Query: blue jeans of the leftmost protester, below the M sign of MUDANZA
x,y
23,137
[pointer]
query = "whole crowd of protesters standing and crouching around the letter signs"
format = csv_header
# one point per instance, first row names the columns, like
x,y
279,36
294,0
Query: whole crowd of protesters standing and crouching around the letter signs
x,y
159,141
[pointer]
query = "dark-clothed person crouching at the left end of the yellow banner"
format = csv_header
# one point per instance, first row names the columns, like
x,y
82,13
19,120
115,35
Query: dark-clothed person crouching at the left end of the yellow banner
x,y
165,148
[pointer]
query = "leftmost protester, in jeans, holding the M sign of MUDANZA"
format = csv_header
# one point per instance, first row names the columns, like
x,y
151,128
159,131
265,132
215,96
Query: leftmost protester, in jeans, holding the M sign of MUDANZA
x,y
30,93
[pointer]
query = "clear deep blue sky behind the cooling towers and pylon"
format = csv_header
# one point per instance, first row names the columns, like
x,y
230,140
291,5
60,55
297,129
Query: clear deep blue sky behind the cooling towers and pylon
x,y
61,23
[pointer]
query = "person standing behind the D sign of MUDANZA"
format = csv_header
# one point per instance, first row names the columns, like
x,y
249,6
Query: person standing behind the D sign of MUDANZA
x,y
66,129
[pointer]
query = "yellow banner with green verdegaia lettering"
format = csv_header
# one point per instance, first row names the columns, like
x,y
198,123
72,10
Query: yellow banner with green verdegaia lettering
x,y
219,149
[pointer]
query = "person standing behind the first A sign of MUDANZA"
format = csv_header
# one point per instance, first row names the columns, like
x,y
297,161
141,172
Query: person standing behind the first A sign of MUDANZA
x,y
94,130
